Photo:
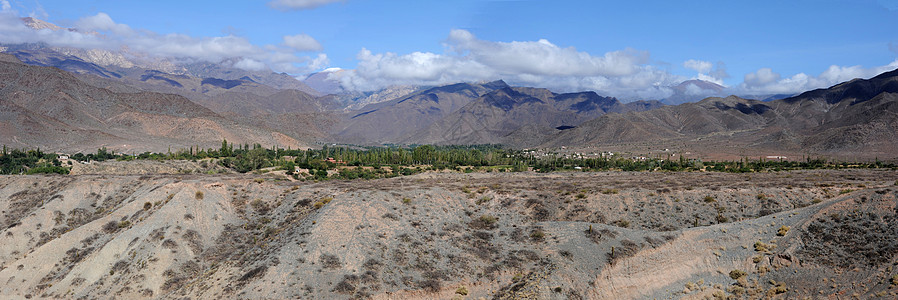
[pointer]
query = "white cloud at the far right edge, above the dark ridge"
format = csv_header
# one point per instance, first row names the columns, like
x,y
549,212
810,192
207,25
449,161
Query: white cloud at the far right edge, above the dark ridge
x,y
765,81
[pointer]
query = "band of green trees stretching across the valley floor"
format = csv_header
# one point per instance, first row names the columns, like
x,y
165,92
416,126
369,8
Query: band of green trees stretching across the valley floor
x,y
393,160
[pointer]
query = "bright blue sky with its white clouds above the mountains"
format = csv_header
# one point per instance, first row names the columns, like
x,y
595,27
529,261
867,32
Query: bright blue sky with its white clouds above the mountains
x,y
630,49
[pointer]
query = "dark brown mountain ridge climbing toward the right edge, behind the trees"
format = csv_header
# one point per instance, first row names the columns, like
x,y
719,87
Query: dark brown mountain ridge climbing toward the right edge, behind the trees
x,y
859,115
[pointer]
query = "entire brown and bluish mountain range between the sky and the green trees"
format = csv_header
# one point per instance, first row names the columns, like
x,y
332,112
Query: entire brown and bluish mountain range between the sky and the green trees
x,y
78,100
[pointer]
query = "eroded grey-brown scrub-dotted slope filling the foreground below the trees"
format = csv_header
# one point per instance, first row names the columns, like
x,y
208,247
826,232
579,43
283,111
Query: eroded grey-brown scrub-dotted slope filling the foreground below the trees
x,y
445,235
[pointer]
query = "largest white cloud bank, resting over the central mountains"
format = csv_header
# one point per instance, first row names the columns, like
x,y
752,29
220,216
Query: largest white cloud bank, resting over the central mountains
x,y
623,73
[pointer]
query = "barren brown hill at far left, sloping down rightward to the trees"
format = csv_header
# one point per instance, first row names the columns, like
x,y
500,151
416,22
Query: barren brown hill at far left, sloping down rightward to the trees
x,y
50,108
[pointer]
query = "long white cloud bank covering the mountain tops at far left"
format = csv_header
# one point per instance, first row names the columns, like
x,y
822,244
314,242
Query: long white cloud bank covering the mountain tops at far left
x,y
100,31
